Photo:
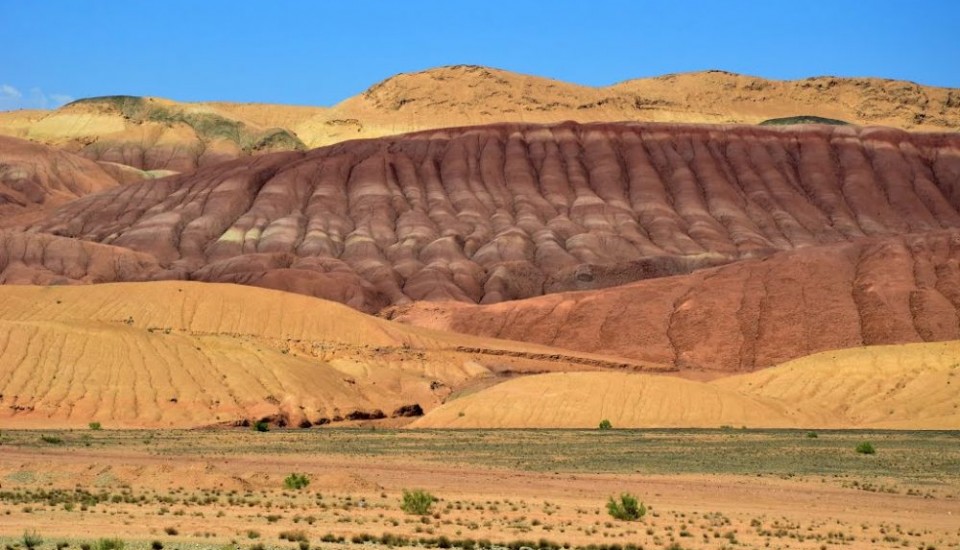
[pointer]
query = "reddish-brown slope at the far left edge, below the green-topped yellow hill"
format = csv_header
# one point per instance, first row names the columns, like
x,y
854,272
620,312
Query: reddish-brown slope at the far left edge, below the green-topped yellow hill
x,y
34,177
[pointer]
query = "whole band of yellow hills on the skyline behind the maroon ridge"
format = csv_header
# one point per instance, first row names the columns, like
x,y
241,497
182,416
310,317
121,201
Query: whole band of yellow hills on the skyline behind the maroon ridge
x,y
153,133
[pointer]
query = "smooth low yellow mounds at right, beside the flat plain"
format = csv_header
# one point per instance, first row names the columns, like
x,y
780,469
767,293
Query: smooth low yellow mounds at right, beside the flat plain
x,y
903,387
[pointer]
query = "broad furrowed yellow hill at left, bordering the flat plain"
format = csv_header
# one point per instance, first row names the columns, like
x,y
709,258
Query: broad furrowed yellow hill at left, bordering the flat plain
x,y
190,354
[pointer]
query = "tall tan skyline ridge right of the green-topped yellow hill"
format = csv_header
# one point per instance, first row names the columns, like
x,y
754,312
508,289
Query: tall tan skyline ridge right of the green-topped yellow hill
x,y
470,95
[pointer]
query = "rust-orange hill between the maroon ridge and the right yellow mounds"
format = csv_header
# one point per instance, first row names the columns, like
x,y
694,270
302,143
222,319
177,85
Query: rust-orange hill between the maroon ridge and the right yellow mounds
x,y
745,316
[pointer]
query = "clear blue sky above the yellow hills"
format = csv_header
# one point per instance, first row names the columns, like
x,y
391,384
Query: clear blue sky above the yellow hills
x,y
318,53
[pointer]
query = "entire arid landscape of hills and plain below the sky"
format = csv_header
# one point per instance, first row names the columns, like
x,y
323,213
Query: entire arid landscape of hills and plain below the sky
x,y
451,282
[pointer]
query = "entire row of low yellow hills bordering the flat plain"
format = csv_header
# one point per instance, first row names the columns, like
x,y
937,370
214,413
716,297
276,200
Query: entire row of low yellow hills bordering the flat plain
x,y
184,354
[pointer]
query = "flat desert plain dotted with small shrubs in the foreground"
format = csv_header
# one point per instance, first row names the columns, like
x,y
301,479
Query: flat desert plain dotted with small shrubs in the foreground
x,y
726,488
